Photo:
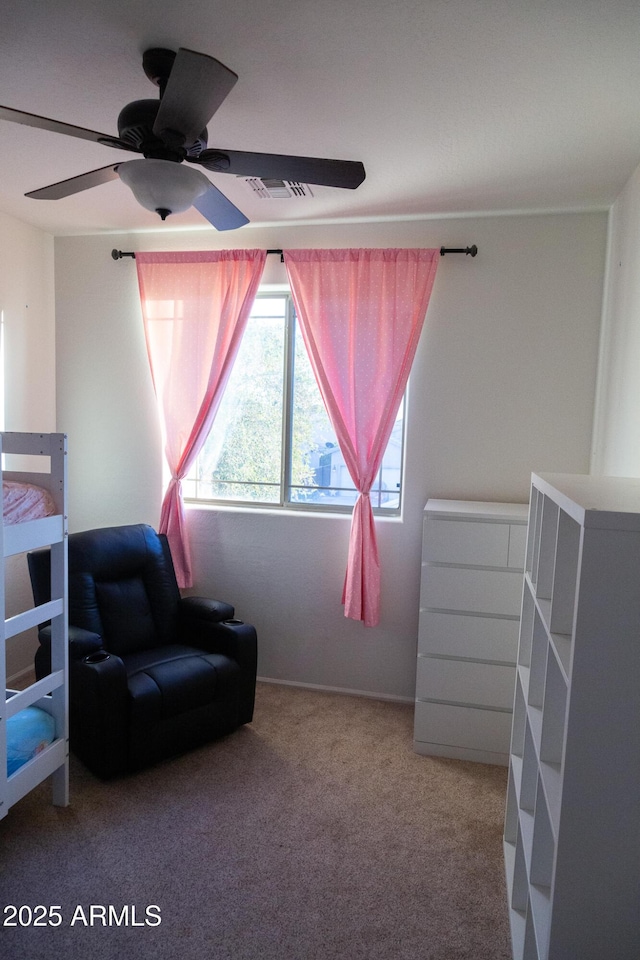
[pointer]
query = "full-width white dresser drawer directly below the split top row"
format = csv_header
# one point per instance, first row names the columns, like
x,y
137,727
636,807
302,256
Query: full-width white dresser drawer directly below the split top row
x,y
472,590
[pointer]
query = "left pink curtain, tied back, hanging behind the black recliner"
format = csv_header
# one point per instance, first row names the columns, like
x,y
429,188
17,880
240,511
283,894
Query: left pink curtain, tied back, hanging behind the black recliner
x,y
195,308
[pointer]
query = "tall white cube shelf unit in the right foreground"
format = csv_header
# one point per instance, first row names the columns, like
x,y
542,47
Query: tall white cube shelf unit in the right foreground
x,y
572,825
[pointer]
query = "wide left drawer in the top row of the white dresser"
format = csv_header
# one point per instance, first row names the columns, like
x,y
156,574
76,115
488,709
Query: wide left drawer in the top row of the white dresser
x,y
466,541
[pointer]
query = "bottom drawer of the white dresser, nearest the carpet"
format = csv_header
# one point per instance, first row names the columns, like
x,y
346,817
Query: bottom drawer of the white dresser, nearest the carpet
x,y
457,727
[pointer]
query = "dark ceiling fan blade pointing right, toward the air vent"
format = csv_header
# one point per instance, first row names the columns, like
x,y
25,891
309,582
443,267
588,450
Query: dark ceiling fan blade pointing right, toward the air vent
x,y
329,173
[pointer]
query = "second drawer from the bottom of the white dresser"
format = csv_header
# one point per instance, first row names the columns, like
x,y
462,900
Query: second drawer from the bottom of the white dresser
x,y
465,681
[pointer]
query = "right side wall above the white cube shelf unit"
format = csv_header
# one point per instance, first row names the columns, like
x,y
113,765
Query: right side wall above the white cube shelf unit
x,y
616,442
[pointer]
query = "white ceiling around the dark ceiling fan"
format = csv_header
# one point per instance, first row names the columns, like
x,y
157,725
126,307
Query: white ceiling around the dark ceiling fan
x,y
452,105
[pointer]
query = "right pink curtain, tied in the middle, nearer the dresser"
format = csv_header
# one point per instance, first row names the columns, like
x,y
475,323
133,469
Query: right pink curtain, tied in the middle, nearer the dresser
x,y
361,313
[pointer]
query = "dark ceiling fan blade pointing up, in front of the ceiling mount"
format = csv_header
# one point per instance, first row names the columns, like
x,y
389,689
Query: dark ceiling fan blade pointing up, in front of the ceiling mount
x,y
196,87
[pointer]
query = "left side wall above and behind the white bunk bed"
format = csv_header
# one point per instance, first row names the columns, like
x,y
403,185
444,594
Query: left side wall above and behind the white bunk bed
x,y
27,303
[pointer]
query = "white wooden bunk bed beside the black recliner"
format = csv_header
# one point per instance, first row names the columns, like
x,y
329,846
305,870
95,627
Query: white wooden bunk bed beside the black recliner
x,y
51,693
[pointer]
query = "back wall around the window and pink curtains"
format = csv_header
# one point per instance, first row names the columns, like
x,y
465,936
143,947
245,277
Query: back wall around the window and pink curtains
x,y
503,384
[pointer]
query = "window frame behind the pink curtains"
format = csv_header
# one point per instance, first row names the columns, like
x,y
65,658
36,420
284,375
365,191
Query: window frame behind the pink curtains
x,y
285,503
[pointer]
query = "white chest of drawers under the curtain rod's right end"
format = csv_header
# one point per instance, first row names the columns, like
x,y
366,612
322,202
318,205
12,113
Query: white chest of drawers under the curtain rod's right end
x,y
470,598
